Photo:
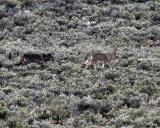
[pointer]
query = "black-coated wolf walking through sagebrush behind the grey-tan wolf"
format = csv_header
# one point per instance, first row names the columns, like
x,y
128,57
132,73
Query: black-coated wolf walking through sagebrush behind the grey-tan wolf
x,y
35,58
